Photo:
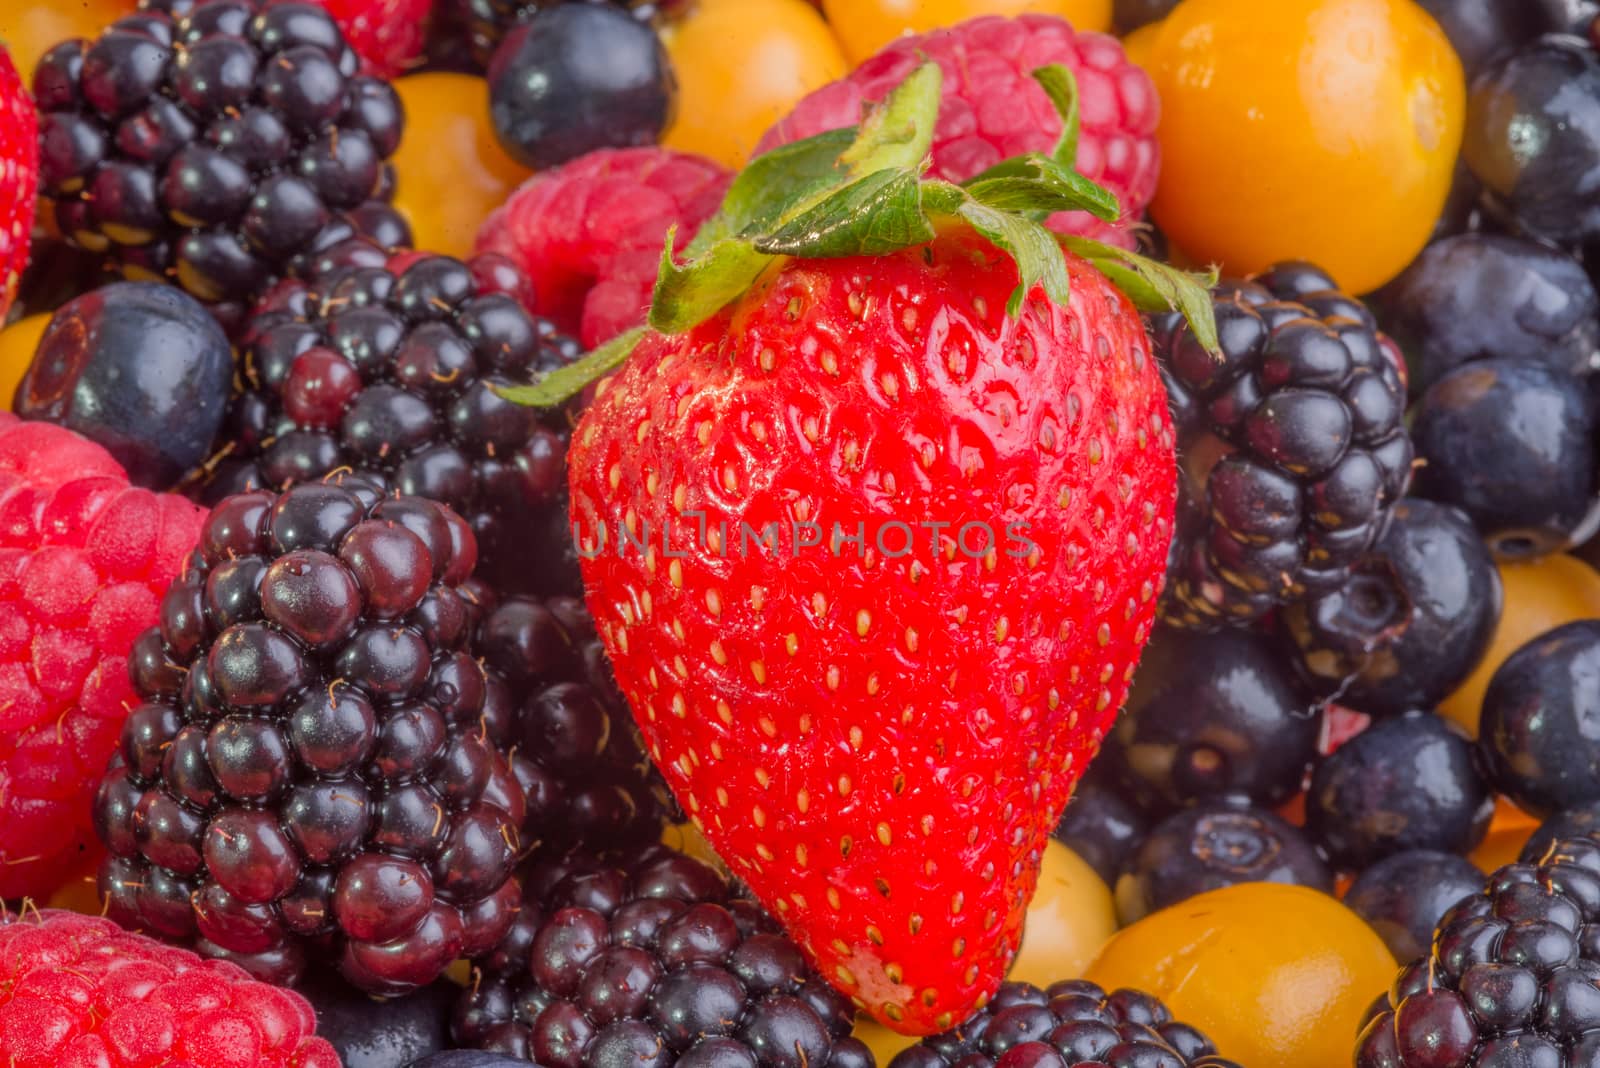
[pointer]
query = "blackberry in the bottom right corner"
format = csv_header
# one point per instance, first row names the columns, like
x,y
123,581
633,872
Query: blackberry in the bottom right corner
x,y
1511,981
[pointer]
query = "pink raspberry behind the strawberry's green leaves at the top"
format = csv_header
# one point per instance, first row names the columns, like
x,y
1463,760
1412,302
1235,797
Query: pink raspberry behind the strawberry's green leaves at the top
x,y
994,110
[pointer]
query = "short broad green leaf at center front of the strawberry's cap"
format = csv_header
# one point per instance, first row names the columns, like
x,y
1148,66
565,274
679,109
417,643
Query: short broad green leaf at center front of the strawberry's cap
x,y
873,217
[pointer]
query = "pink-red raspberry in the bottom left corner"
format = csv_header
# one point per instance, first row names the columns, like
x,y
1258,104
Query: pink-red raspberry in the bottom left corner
x,y
81,992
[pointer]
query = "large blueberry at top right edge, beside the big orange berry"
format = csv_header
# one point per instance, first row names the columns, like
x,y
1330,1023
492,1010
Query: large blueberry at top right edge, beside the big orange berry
x,y
1534,138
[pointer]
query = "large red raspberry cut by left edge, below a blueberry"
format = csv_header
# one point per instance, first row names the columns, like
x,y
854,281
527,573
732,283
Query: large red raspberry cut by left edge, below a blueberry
x,y
84,564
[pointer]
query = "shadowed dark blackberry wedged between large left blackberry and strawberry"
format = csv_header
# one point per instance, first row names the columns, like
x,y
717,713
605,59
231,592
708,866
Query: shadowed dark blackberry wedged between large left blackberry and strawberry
x,y
553,704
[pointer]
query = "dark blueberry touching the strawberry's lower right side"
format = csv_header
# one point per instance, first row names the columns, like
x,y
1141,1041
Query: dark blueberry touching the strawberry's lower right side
x,y
1212,715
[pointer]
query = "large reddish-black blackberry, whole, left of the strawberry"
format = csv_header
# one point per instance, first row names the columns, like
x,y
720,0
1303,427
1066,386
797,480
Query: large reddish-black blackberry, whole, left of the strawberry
x,y
310,775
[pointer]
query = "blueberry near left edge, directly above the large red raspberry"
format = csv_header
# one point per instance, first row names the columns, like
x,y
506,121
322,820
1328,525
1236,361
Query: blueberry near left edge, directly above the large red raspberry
x,y
138,367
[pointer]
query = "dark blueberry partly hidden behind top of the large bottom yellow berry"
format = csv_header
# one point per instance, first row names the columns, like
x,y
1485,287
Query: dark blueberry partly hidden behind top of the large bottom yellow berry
x,y
1210,847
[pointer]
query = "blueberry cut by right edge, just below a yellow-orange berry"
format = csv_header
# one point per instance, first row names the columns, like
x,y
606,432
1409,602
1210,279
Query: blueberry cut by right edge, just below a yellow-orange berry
x,y
1535,728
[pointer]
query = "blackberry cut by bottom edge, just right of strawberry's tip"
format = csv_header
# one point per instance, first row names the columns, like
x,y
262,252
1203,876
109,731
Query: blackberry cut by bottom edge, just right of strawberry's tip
x,y
1063,1027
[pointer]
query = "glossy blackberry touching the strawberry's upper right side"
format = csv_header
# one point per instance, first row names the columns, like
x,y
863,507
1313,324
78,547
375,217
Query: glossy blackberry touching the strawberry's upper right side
x,y
1292,445
